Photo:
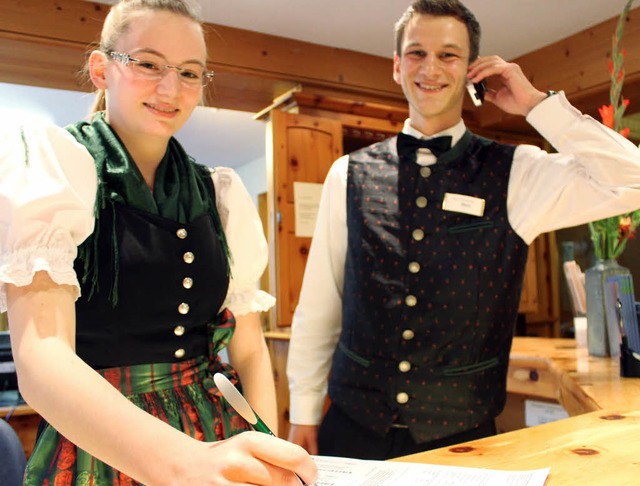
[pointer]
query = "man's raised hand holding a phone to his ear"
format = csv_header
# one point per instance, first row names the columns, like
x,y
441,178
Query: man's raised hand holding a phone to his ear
x,y
507,86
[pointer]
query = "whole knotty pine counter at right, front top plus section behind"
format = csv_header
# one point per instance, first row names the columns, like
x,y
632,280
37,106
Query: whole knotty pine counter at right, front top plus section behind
x,y
598,445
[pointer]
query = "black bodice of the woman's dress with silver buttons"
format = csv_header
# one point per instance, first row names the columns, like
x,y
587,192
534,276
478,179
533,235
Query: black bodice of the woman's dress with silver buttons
x,y
172,283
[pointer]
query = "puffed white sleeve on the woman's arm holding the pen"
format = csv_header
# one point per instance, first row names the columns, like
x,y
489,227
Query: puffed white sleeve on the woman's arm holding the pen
x,y
47,192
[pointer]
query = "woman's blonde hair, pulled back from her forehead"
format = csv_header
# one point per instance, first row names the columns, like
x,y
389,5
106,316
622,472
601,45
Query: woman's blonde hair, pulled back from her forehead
x,y
119,19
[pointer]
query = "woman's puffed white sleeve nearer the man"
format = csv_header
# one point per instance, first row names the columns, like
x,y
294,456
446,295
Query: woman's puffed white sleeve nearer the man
x,y
247,243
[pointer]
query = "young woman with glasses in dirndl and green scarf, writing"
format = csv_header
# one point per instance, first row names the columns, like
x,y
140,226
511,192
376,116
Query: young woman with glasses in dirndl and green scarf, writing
x,y
122,265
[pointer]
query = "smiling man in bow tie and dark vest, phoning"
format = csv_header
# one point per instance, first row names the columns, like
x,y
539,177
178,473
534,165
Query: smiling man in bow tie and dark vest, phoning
x,y
413,281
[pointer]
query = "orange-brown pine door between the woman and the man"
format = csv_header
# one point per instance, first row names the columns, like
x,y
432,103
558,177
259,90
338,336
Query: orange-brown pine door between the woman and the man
x,y
300,148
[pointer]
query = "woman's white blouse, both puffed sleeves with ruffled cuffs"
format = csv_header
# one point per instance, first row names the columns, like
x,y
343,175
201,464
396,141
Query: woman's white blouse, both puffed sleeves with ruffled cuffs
x,y
48,186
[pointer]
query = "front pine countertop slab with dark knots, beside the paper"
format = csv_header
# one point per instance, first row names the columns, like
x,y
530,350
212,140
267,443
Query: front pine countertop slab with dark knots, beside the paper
x,y
599,448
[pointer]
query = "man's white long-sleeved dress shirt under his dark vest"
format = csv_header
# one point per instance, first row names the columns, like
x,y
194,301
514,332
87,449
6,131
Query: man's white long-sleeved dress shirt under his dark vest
x,y
596,174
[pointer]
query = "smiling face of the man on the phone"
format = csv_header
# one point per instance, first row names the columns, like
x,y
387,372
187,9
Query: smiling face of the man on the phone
x,y
432,70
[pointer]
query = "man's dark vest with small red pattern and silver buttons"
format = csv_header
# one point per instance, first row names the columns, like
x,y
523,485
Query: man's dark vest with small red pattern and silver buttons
x,y
430,295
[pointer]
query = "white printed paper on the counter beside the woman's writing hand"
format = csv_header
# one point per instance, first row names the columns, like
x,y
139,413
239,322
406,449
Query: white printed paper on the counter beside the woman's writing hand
x,y
339,471
